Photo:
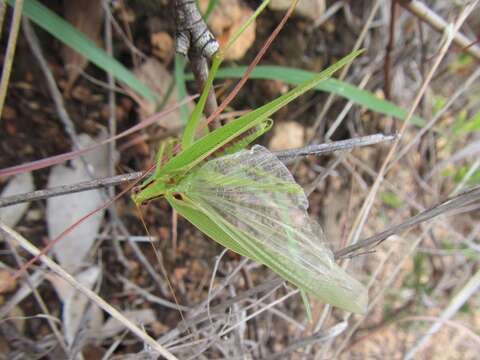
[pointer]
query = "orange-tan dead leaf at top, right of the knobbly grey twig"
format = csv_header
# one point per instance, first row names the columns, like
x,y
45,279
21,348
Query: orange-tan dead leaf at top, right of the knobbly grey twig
x,y
226,19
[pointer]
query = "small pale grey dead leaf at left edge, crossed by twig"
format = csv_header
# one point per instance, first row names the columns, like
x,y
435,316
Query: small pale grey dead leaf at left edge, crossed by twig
x,y
19,184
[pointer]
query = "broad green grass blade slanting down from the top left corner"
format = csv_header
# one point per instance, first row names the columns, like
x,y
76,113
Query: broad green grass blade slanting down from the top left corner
x,y
78,41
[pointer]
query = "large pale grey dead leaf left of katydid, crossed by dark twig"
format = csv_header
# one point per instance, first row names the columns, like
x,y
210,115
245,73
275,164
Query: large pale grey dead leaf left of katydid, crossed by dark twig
x,y
63,211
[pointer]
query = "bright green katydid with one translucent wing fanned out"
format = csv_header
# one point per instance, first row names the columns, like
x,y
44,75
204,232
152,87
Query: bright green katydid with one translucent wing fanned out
x,y
249,202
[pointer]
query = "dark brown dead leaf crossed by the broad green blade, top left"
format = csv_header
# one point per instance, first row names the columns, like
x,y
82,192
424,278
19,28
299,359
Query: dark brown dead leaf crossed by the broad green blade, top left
x,y
87,17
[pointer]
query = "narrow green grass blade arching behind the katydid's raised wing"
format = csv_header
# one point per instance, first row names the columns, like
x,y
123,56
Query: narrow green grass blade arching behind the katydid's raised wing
x,y
297,76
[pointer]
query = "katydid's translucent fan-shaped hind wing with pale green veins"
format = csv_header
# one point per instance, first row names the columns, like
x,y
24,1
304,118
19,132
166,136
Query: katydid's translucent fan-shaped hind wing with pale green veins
x,y
252,197
